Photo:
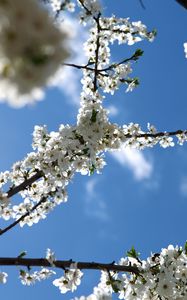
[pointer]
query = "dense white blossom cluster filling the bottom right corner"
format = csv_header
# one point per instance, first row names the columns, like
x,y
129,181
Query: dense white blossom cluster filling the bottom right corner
x,y
161,276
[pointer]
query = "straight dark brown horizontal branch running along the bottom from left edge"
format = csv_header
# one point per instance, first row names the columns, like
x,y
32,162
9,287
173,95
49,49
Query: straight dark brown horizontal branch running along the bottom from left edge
x,y
63,264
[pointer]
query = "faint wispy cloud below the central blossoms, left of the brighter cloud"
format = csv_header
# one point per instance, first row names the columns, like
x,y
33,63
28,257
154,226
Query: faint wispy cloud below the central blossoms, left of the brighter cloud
x,y
95,206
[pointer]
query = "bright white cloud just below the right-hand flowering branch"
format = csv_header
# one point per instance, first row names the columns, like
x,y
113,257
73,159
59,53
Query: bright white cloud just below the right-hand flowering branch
x,y
135,161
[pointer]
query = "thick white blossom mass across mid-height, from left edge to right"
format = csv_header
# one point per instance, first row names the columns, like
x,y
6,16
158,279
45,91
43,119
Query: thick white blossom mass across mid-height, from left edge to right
x,y
60,154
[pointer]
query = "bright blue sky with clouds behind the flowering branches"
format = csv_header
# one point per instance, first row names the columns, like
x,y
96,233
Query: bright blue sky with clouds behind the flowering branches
x,y
139,199
